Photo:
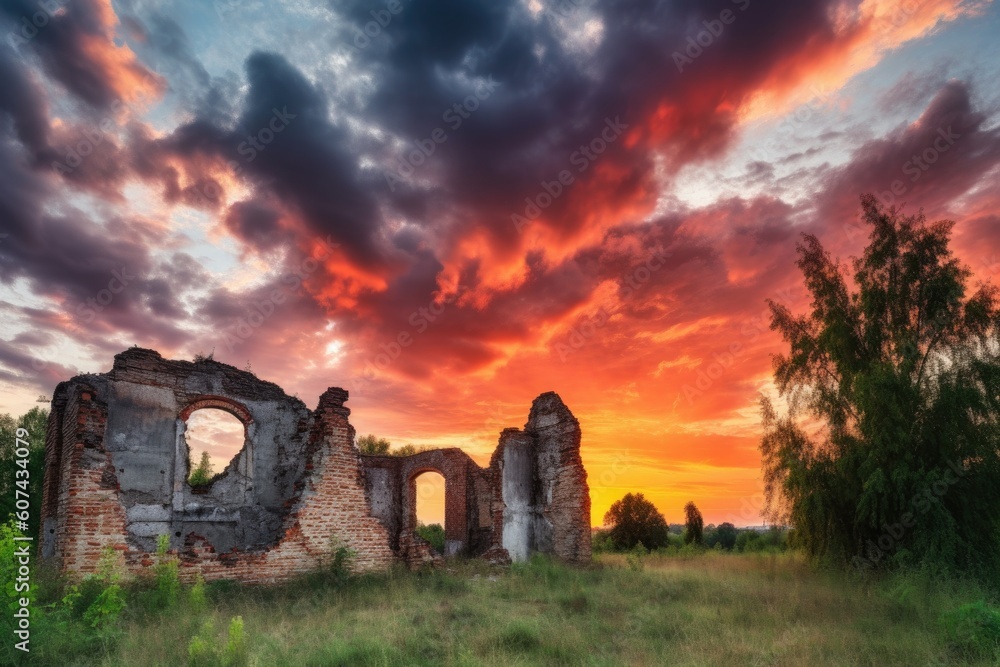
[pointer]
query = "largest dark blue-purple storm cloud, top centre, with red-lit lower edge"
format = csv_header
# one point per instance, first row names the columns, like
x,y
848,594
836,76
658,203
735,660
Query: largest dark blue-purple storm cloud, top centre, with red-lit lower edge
x,y
552,100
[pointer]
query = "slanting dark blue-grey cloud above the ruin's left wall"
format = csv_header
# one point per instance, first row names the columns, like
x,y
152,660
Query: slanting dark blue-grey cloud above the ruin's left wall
x,y
285,145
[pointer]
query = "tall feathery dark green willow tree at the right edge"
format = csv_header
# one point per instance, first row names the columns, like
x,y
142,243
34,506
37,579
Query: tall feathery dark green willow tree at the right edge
x,y
886,452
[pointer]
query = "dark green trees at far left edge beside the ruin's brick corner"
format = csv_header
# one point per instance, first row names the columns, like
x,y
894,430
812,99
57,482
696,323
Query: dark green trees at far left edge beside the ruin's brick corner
x,y
35,422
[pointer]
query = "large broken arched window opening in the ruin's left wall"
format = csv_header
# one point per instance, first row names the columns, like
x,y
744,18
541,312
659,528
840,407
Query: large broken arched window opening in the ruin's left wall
x,y
214,437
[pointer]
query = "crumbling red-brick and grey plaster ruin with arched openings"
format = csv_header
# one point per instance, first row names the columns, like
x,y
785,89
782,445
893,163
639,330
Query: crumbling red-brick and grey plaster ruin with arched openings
x,y
116,471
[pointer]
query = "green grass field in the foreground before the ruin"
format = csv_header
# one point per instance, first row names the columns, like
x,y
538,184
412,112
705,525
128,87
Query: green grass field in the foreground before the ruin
x,y
710,609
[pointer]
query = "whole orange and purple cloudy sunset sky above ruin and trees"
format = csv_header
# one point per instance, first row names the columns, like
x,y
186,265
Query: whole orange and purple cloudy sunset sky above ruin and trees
x,y
247,177
